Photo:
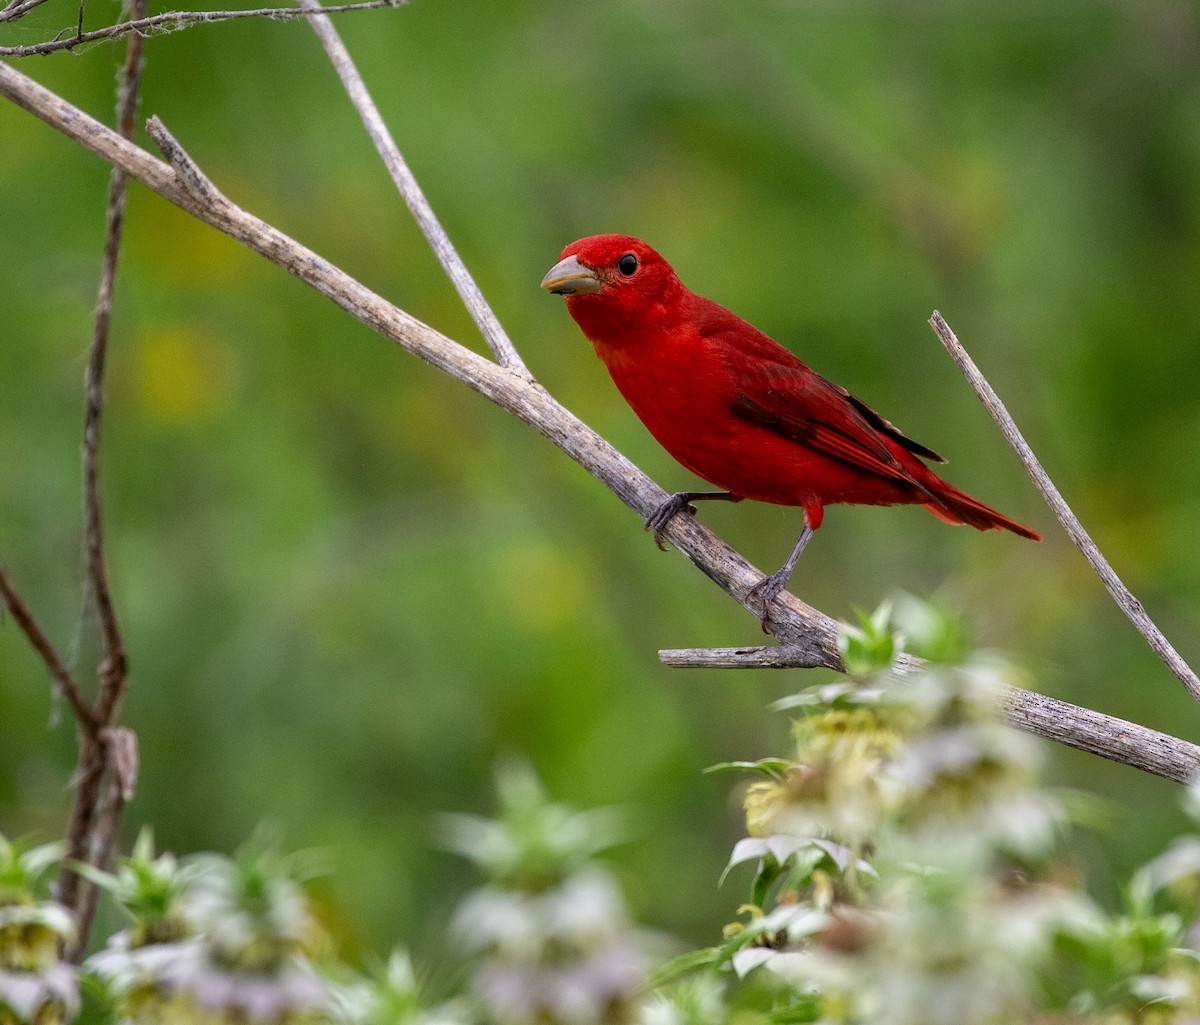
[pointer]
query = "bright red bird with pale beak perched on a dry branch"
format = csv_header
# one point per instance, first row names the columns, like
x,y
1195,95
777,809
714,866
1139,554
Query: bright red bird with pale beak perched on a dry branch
x,y
740,410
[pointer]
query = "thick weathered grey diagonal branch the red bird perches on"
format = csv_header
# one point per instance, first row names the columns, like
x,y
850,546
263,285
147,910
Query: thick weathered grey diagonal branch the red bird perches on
x,y
809,637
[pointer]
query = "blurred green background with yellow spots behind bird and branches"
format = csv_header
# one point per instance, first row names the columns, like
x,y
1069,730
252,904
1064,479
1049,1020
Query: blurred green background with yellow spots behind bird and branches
x,y
350,584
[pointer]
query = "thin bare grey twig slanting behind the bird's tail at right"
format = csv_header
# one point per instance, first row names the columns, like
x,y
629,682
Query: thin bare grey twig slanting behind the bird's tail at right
x,y
1113,584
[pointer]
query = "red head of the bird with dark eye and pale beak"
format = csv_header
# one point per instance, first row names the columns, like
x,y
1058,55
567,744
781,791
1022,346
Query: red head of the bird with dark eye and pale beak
x,y
613,285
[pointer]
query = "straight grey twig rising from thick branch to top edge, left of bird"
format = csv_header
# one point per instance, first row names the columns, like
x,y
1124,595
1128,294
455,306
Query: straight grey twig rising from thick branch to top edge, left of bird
x,y
415,197
